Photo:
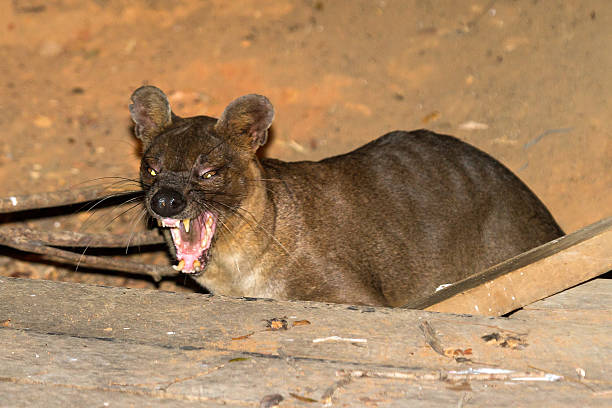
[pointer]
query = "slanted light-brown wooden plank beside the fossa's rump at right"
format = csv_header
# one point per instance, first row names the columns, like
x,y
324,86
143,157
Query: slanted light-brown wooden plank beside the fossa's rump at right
x,y
531,276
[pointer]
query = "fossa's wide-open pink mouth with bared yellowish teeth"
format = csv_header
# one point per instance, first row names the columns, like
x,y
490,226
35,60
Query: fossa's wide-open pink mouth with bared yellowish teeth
x,y
192,239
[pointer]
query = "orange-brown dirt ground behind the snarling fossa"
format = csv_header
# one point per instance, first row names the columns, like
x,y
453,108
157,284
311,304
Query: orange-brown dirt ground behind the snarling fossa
x,y
527,81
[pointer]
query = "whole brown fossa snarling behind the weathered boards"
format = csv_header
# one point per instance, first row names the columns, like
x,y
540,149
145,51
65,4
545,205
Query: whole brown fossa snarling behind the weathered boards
x,y
382,225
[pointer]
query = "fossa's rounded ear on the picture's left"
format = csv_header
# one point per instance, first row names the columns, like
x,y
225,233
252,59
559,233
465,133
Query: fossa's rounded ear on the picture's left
x,y
150,112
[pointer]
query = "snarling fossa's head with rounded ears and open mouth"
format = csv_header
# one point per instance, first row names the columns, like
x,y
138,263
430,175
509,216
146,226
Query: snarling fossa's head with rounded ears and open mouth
x,y
194,170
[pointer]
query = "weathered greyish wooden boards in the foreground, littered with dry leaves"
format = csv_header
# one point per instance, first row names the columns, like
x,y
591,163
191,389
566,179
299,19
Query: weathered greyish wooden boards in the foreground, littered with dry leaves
x,y
79,345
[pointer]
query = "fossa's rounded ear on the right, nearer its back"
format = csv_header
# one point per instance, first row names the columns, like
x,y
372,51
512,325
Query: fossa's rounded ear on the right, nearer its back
x,y
247,120
